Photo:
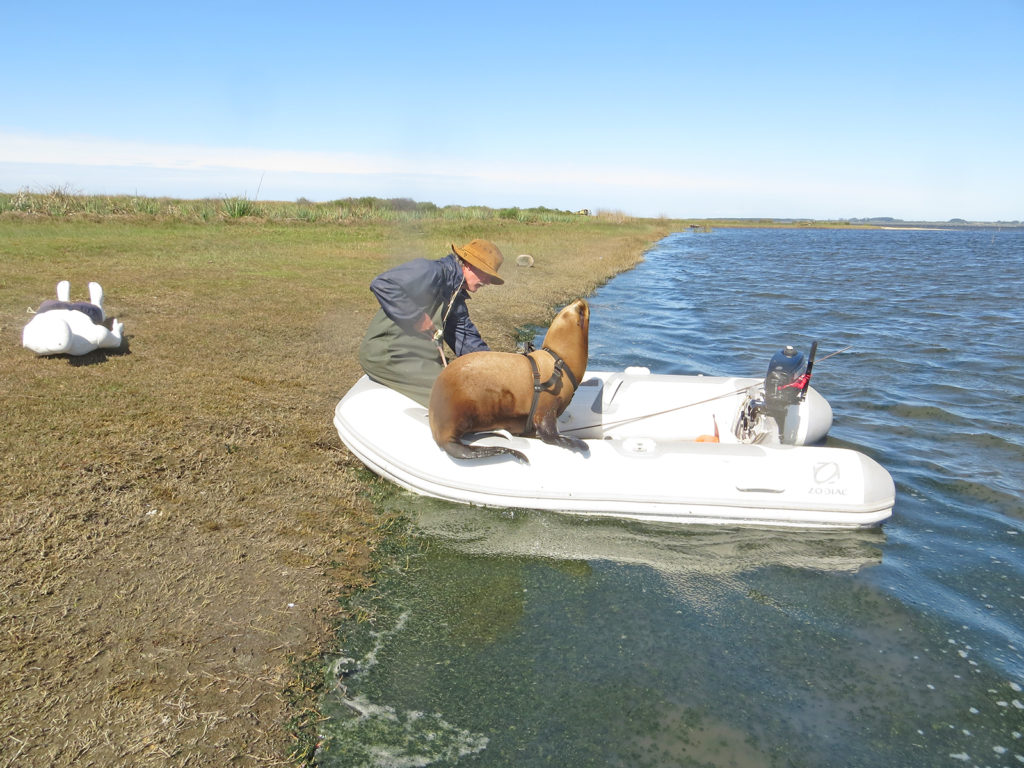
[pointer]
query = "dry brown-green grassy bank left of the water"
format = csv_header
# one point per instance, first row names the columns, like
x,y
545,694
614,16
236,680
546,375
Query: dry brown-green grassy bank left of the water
x,y
180,517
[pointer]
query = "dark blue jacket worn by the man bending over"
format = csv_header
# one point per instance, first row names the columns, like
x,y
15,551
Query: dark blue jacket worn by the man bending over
x,y
423,286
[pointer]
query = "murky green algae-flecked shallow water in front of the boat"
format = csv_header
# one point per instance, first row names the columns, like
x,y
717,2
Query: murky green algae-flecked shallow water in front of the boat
x,y
510,641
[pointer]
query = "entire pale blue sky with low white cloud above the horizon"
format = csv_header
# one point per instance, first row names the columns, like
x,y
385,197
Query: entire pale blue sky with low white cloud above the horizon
x,y
912,110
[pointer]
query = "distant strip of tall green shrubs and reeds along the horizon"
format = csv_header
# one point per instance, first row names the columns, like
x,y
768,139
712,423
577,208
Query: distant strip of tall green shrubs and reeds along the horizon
x,y
60,202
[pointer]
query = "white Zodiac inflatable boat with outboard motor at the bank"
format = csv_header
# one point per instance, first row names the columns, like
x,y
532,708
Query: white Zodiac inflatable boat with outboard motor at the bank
x,y
653,454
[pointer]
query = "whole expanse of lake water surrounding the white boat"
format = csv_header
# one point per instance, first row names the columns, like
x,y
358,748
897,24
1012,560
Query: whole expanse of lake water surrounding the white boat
x,y
538,639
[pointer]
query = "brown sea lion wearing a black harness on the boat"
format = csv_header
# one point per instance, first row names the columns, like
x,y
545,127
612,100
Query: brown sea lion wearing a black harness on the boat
x,y
522,394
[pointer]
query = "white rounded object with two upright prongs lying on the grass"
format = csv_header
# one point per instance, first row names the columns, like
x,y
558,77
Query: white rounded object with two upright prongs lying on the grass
x,y
64,327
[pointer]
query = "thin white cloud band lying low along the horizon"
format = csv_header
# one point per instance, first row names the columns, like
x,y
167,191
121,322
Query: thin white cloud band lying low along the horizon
x,y
94,165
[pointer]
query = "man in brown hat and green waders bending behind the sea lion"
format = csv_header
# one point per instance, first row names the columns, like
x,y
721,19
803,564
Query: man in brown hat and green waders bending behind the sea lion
x,y
423,303
